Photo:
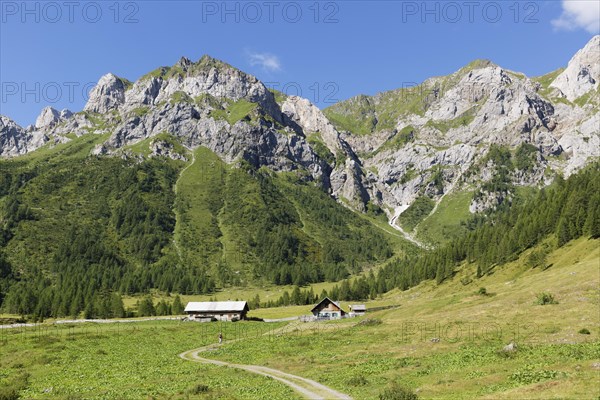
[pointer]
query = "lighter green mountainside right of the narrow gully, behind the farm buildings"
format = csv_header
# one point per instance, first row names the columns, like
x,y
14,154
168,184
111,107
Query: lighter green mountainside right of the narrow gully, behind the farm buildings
x,y
256,226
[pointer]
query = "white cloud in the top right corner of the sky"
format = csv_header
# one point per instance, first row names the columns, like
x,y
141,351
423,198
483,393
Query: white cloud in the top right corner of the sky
x,y
579,14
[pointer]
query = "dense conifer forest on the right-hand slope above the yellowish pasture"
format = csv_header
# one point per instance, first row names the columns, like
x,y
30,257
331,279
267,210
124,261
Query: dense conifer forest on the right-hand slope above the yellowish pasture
x,y
566,210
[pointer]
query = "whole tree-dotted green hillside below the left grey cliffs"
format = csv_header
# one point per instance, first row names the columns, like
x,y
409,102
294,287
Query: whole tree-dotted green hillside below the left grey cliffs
x,y
76,229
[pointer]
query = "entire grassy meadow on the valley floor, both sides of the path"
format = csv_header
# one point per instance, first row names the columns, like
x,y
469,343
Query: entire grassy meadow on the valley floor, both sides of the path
x,y
555,358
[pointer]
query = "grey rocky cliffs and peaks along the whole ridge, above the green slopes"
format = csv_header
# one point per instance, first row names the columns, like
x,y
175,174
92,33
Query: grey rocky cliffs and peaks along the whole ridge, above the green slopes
x,y
391,148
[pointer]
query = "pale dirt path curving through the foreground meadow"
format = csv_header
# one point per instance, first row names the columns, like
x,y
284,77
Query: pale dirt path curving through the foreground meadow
x,y
306,387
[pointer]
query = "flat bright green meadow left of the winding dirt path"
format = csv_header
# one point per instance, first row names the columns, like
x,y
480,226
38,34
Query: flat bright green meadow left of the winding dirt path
x,y
135,361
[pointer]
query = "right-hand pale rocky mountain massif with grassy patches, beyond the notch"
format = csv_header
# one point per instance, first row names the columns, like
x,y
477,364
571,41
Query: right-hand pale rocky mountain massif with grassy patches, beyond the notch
x,y
453,133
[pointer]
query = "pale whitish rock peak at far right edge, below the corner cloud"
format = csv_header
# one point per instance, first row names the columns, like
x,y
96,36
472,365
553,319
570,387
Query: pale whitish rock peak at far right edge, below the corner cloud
x,y
583,72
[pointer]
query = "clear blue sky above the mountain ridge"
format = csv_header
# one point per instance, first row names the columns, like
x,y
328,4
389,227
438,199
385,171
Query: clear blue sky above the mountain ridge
x,y
51,53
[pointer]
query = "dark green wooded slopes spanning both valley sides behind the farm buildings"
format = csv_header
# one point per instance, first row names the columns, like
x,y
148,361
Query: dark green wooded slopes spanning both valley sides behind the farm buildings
x,y
78,233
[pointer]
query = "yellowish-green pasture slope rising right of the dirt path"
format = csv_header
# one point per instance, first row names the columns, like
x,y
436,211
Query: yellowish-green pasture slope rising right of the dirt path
x,y
553,360
